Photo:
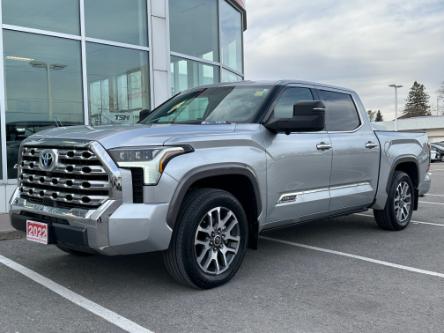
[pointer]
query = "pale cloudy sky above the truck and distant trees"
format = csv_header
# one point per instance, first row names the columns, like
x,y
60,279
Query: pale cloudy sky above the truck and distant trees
x,y
363,45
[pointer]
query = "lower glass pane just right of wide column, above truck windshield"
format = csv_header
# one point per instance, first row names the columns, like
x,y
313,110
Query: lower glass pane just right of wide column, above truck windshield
x,y
187,74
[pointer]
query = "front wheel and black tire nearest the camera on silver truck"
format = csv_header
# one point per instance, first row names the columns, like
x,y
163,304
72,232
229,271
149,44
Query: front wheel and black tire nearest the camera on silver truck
x,y
196,256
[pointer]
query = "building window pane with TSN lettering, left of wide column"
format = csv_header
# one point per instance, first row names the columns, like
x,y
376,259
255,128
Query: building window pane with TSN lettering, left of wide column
x,y
118,83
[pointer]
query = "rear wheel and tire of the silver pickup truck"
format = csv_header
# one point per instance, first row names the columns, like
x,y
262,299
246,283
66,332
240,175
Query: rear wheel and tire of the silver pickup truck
x,y
392,217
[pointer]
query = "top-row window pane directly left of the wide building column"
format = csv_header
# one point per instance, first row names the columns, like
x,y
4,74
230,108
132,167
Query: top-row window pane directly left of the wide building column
x,y
118,20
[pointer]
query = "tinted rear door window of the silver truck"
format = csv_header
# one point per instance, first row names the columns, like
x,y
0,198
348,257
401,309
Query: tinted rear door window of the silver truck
x,y
341,113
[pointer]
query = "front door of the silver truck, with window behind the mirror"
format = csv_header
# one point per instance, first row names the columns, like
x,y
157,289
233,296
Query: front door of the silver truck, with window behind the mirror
x,y
298,167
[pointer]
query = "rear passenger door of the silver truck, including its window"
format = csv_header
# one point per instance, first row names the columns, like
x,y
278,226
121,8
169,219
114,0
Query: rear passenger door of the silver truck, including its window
x,y
355,164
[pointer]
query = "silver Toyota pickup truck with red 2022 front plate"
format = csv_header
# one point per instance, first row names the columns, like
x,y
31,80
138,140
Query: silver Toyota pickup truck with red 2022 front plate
x,y
202,175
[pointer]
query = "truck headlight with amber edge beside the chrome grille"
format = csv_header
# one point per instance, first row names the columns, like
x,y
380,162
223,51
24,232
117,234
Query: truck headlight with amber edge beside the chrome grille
x,y
152,160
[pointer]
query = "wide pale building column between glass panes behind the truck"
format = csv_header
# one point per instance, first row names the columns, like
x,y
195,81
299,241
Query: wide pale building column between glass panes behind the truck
x,y
160,51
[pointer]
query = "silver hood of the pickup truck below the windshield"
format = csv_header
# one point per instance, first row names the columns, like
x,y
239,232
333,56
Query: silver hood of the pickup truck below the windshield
x,y
111,136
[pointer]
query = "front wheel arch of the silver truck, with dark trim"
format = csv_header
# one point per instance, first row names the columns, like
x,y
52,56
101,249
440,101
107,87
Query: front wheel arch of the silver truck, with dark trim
x,y
238,179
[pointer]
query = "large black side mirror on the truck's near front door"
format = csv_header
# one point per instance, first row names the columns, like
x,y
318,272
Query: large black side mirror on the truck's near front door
x,y
308,116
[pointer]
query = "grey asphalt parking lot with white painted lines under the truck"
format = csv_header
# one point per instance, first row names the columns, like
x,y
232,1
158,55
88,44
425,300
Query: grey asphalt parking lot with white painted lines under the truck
x,y
338,275
